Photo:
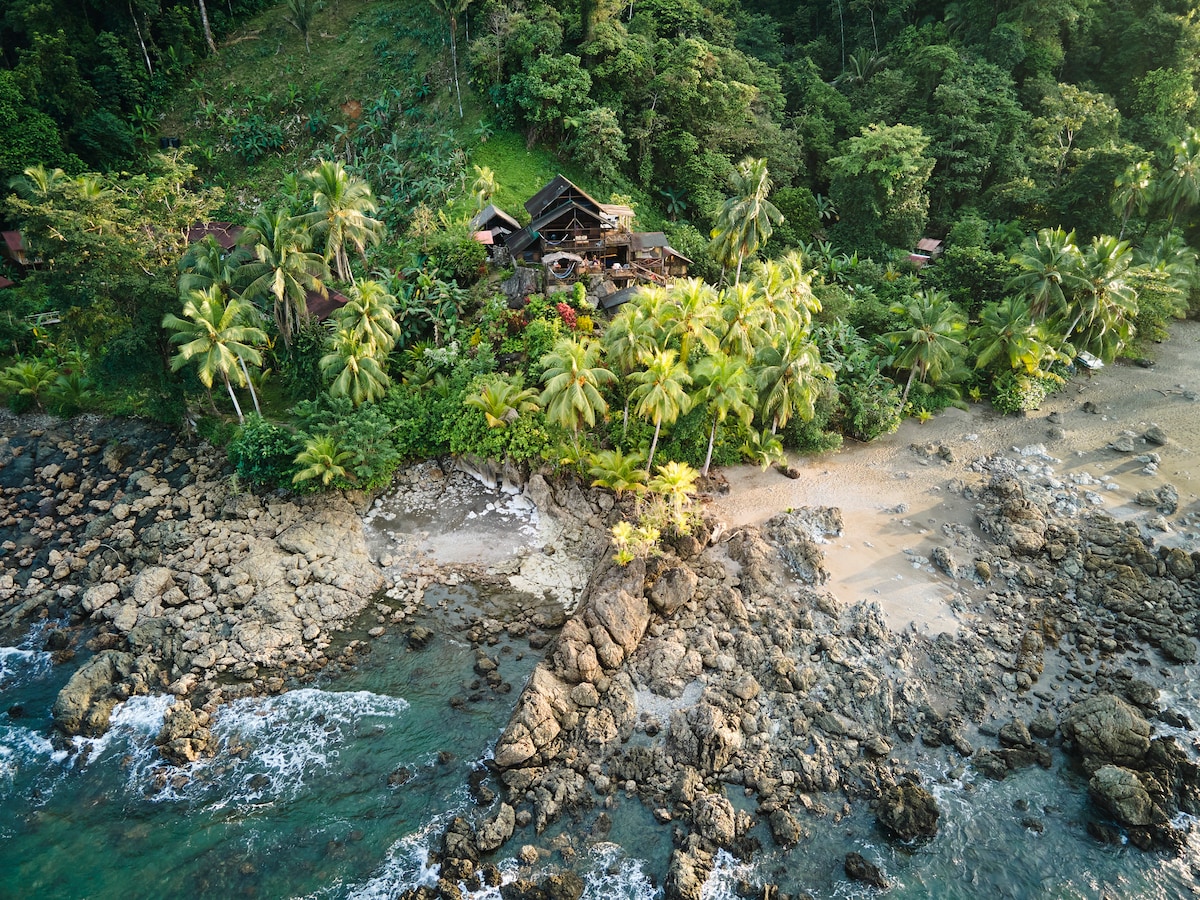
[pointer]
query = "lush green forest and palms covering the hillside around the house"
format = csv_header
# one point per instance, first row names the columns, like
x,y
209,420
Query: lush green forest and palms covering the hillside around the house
x,y
795,153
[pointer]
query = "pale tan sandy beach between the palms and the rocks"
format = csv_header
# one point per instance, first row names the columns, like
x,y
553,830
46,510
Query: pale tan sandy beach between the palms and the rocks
x,y
902,496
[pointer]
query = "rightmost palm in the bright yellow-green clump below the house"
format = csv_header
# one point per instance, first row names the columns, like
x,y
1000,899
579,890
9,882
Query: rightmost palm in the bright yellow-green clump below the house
x,y
789,375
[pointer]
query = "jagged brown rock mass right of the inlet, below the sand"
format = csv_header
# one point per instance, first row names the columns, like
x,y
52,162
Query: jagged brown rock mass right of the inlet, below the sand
x,y
722,667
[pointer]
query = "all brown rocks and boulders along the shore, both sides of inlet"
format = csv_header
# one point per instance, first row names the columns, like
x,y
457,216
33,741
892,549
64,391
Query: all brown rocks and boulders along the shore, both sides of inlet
x,y
718,668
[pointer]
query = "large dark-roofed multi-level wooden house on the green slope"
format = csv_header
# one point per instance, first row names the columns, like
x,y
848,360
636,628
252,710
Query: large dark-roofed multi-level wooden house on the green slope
x,y
573,235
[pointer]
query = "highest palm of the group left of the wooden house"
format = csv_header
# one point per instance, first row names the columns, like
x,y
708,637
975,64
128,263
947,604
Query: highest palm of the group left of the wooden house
x,y
344,206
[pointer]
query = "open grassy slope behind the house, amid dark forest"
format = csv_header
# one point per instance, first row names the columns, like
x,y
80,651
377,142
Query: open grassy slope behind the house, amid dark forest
x,y
362,51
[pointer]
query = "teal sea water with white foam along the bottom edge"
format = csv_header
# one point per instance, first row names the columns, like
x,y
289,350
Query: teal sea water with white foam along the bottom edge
x,y
339,789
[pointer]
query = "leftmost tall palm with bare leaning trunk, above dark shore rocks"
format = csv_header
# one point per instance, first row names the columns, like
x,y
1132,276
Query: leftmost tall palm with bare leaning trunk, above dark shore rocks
x,y
213,333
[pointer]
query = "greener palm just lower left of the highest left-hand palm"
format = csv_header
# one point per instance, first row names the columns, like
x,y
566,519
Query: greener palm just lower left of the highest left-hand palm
x,y
285,269
